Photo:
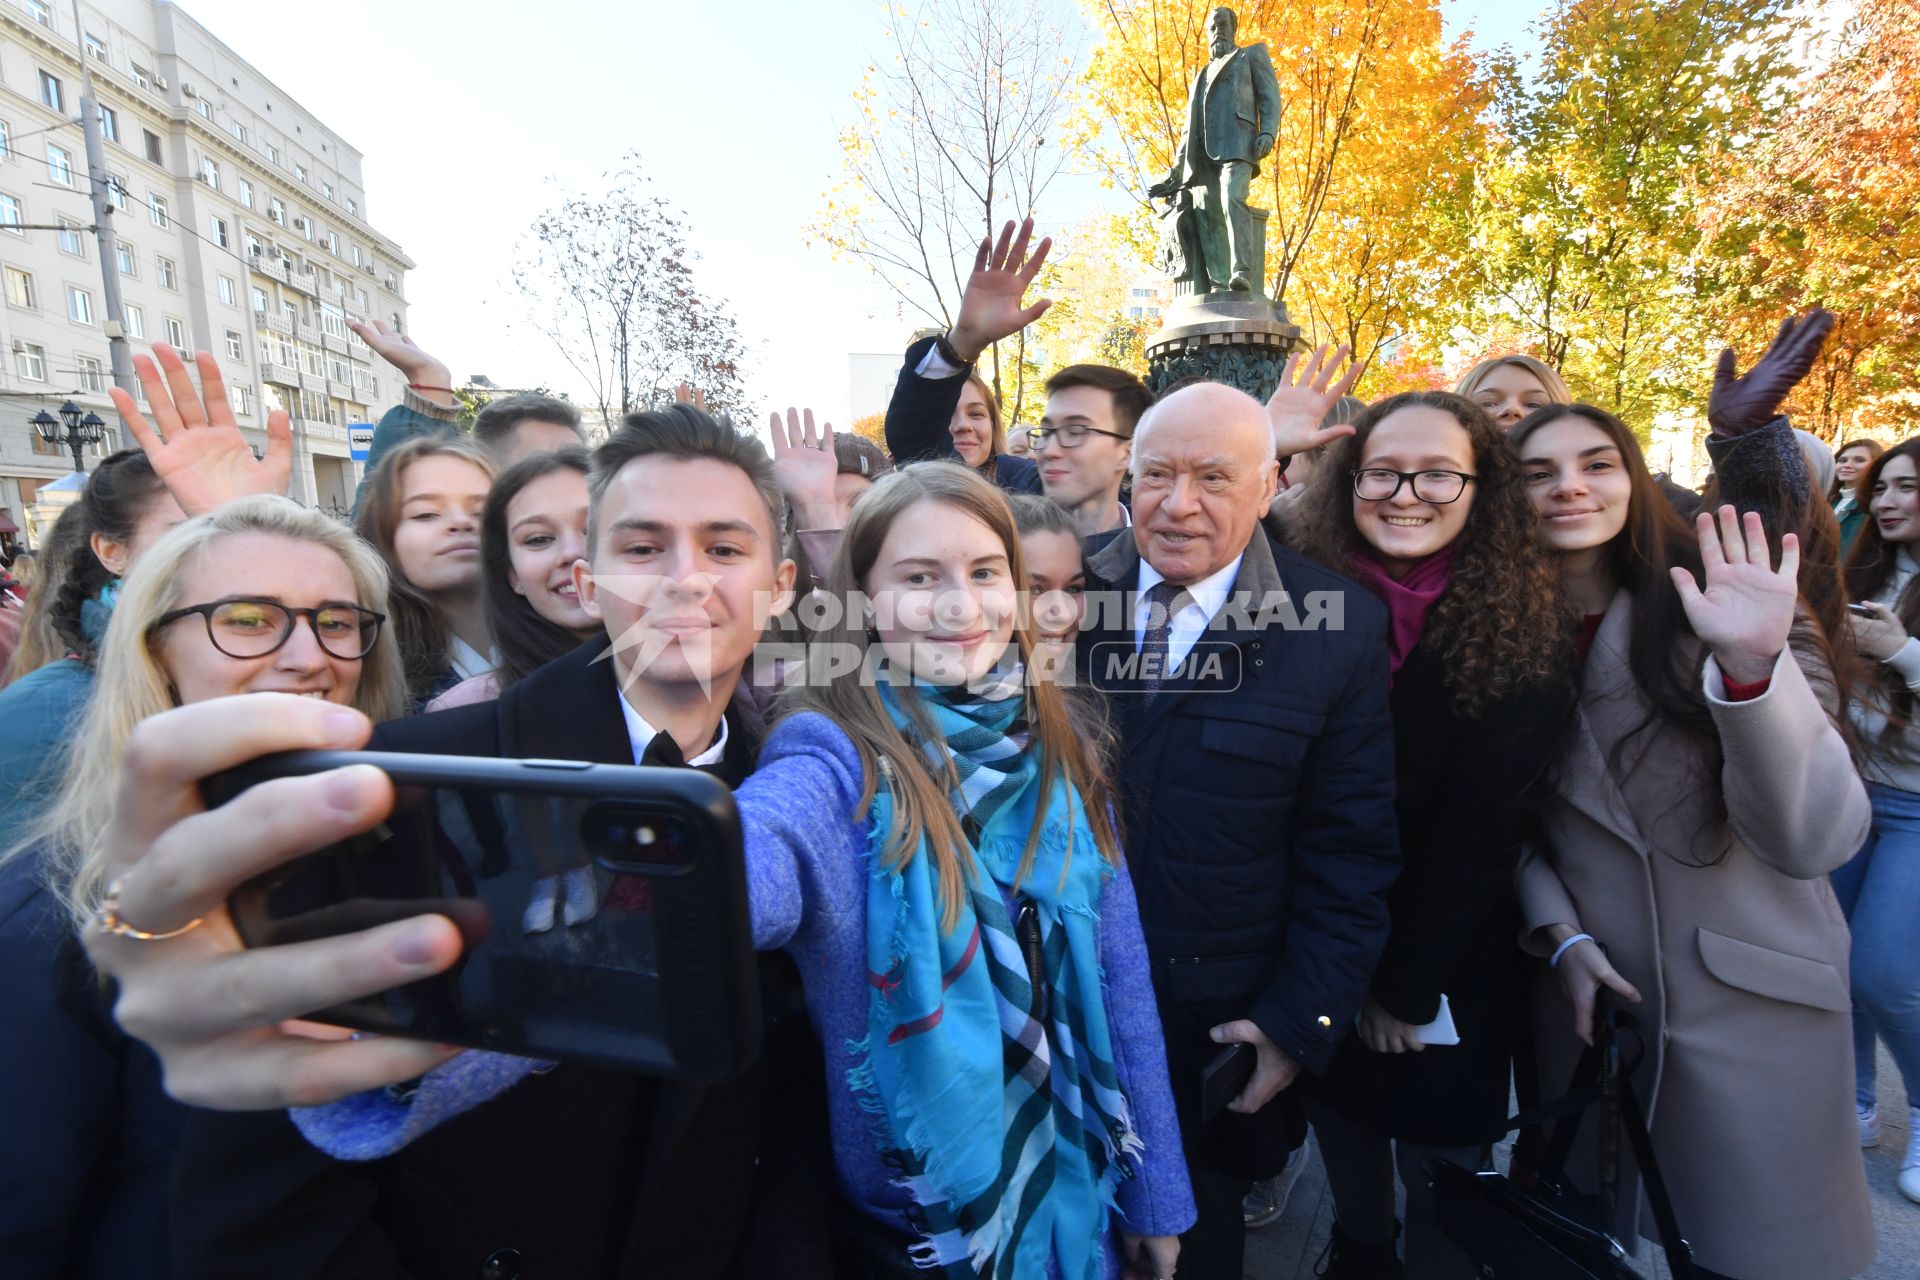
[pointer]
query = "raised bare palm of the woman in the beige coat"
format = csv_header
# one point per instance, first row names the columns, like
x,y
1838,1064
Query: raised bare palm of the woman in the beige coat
x,y
1748,607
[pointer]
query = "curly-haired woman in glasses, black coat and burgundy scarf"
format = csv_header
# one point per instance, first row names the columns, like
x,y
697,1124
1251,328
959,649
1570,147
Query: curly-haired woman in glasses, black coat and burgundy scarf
x,y
1426,506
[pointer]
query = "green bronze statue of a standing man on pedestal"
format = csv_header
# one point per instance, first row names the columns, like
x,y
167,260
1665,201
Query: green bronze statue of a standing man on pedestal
x,y
1232,120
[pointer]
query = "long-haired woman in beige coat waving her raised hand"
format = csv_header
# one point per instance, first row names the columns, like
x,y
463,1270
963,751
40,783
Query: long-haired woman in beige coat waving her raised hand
x,y
1698,807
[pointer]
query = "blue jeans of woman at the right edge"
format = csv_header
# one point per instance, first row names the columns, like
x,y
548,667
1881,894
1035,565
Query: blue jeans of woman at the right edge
x,y
1881,895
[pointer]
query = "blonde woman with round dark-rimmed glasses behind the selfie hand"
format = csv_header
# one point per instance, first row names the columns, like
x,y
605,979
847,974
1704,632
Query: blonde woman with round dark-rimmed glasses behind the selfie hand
x,y
258,596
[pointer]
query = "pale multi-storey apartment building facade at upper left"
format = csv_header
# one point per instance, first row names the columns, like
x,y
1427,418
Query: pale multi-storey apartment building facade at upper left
x,y
243,229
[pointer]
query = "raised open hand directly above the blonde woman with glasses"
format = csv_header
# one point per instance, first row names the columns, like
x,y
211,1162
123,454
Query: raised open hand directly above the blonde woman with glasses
x,y
195,442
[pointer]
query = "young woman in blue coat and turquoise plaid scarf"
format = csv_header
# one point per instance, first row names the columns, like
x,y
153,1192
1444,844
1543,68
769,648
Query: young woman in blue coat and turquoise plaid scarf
x,y
930,836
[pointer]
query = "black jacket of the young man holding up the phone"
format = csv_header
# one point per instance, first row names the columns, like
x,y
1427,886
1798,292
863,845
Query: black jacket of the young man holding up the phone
x,y
573,1173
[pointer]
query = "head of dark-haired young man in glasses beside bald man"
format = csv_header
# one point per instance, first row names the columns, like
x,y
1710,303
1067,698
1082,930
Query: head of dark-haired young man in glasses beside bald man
x,y
1086,444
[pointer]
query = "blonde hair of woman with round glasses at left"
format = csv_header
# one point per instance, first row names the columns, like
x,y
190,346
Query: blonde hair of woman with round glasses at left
x,y
130,684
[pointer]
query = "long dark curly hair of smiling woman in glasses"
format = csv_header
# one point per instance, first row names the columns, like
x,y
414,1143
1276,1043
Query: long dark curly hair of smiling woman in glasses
x,y
1502,623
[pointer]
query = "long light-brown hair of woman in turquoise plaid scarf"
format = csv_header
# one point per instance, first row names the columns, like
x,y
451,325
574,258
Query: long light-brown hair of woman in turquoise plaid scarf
x,y
852,699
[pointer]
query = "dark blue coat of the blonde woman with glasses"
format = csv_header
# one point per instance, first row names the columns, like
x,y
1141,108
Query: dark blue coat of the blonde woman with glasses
x,y
89,1129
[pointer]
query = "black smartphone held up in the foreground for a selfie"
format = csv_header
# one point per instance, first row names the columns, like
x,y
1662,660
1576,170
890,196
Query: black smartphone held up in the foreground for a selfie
x,y
642,959
